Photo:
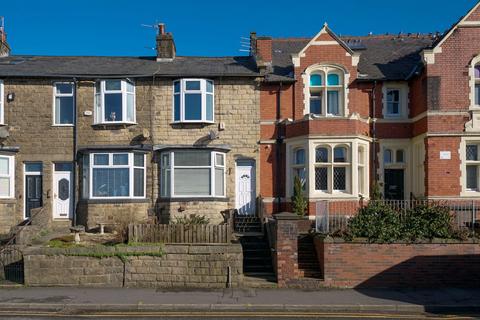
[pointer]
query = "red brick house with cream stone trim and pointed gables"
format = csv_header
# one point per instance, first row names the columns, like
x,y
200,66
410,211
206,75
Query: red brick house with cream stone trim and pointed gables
x,y
343,113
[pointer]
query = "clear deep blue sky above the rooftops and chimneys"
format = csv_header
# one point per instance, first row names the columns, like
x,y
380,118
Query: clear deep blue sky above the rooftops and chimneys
x,y
208,28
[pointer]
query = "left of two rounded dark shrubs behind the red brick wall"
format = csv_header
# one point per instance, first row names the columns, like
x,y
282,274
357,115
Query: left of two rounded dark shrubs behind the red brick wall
x,y
377,222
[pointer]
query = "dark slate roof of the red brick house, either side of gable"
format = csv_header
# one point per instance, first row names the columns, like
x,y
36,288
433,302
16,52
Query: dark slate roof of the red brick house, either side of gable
x,y
381,57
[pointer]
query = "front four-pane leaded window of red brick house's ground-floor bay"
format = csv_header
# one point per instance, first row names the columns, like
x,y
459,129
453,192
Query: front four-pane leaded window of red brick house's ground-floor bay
x,y
332,168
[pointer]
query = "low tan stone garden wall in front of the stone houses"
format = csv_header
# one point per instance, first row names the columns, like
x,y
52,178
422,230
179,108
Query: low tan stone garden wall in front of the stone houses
x,y
185,266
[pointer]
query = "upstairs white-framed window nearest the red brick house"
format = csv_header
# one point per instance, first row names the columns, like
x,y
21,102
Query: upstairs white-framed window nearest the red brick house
x,y
193,100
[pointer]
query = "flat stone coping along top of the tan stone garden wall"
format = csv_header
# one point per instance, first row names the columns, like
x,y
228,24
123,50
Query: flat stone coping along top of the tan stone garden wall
x,y
167,249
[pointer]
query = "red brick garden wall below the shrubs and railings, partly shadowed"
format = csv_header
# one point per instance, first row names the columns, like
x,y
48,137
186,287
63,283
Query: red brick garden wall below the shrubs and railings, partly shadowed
x,y
435,264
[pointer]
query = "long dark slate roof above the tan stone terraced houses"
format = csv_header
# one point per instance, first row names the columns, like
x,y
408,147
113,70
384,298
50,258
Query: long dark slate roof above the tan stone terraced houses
x,y
89,66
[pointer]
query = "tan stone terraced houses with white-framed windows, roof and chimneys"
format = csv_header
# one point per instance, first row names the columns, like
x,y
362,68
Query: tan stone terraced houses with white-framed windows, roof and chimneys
x,y
105,139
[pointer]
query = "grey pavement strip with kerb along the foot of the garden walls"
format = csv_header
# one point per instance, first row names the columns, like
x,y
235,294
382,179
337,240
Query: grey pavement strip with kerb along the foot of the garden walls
x,y
83,300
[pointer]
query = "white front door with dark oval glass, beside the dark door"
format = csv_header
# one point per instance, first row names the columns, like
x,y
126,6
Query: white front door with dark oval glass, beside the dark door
x,y
62,195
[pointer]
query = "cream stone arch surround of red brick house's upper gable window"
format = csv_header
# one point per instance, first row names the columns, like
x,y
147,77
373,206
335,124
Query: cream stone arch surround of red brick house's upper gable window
x,y
324,67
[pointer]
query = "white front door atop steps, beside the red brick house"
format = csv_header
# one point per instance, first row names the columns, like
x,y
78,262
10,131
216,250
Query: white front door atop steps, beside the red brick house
x,y
245,187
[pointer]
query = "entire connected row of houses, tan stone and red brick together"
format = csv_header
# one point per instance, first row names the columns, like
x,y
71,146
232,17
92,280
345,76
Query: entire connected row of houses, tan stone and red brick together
x,y
101,139
